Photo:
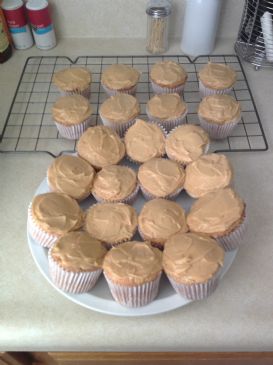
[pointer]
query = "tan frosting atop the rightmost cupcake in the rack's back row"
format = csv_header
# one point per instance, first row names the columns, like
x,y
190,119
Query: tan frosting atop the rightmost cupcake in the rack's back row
x,y
217,76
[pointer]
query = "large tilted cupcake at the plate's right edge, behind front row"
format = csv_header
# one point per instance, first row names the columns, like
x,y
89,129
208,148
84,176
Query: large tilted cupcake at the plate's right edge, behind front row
x,y
220,214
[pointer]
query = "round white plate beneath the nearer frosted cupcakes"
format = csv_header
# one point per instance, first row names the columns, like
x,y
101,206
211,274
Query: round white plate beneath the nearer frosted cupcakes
x,y
100,299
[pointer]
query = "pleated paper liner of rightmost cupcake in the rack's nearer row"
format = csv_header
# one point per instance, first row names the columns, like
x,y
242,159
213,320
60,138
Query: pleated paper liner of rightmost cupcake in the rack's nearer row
x,y
219,131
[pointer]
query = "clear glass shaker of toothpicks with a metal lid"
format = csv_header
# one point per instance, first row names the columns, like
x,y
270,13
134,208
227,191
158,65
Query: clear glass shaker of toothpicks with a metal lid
x,y
158,12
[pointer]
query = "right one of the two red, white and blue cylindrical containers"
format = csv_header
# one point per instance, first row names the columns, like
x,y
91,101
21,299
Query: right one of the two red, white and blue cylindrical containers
x,y
41,24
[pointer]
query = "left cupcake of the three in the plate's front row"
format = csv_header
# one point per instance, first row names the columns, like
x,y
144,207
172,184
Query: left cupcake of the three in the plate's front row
x,y
75,262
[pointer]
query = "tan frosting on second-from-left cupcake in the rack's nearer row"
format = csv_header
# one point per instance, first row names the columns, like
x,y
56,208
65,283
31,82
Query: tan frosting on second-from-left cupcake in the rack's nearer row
x,y
120,108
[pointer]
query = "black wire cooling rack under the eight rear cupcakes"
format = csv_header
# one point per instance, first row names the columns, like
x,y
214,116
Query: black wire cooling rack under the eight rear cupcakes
x,y
29,125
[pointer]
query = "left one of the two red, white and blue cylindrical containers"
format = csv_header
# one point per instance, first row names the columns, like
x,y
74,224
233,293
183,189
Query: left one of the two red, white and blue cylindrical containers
x,y
14,11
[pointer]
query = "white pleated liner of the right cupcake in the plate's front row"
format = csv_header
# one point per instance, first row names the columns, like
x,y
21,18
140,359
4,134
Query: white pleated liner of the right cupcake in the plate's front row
x,y
195,291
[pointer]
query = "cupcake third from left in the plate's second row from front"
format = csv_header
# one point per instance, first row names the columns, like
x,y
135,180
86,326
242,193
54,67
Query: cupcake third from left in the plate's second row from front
x,y
159,219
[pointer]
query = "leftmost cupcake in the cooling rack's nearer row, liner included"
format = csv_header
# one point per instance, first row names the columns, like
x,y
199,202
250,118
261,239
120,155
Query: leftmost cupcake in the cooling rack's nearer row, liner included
x,y
72,115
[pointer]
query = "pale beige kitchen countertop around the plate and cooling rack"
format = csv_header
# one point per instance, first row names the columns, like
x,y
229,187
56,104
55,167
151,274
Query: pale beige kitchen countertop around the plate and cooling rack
x,y
35,317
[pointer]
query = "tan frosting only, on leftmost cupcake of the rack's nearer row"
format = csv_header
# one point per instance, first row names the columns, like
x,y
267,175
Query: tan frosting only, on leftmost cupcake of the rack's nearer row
x,y
71,110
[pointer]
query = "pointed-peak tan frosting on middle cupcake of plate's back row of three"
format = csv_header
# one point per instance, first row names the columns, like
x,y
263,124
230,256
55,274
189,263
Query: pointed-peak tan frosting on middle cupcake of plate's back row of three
x,y
144,141
